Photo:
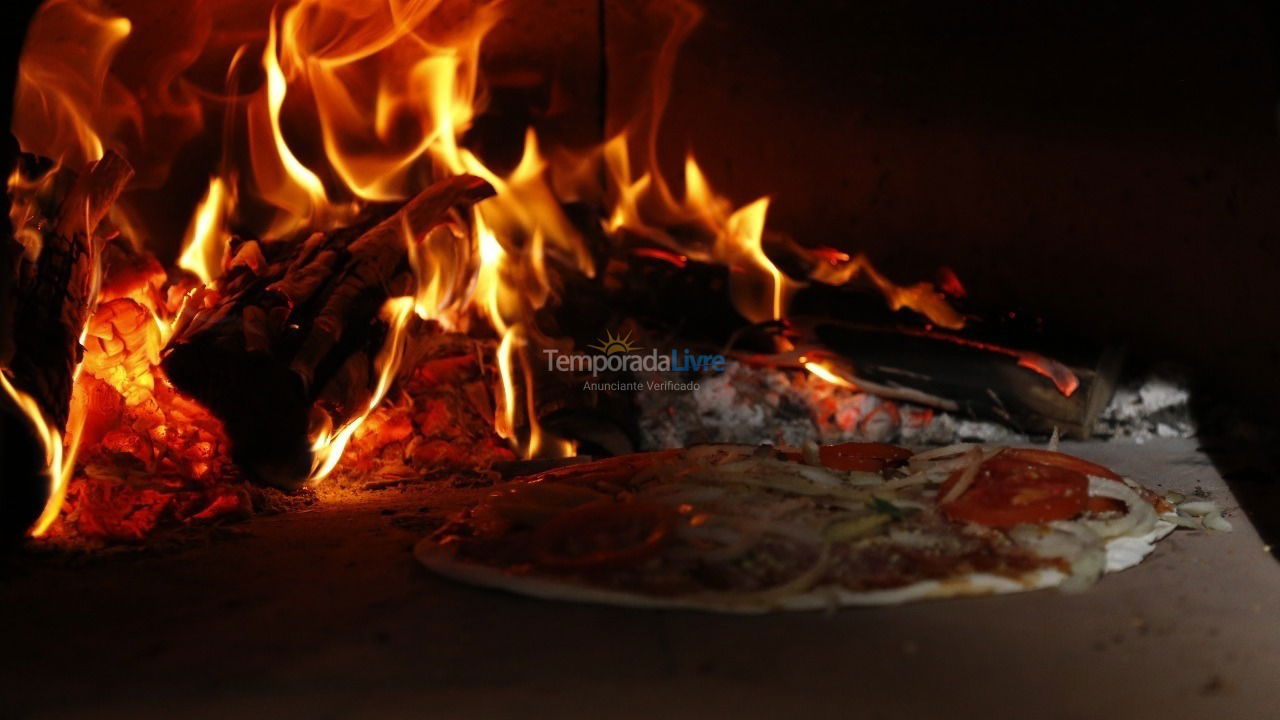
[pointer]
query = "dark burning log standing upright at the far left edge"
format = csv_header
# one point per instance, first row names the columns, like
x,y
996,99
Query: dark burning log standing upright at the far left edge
x,y
51,274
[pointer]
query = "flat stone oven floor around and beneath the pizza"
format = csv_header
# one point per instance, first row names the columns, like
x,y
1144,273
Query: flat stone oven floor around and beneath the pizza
x,y
326,614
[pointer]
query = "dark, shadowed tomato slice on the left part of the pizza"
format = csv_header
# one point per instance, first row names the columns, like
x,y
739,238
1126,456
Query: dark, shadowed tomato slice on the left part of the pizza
x,y
604,536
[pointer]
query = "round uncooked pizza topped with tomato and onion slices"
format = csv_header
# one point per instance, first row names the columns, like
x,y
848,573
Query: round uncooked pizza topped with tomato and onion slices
x,y
752,530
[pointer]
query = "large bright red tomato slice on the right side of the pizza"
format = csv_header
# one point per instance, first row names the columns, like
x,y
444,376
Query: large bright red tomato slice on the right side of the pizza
x,y
1008,493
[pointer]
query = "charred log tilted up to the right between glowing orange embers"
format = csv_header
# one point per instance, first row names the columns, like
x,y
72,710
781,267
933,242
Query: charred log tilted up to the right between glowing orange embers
x,y
276,339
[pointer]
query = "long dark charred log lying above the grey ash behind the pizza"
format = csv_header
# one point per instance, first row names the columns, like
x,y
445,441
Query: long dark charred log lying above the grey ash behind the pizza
x,y
879,349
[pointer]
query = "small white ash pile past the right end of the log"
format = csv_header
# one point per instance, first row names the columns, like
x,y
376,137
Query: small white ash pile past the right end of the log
x,y
1151,408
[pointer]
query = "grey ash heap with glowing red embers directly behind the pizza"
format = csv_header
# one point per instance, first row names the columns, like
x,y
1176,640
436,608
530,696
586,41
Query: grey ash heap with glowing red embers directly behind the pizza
x,y
789,408
